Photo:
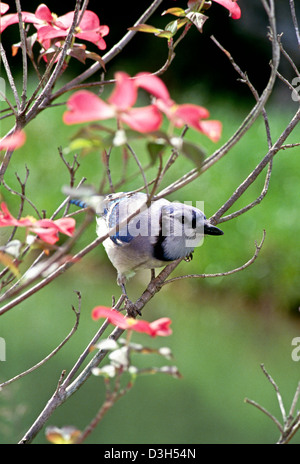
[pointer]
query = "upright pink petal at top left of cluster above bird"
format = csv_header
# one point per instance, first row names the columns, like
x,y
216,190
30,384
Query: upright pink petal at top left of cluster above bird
x,y
124,94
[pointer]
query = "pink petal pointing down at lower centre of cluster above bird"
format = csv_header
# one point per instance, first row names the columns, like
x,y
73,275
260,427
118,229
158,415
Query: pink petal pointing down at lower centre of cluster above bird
x,y
144,120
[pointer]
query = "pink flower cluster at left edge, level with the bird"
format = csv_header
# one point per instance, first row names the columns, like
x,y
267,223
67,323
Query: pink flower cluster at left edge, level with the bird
x,y
46,229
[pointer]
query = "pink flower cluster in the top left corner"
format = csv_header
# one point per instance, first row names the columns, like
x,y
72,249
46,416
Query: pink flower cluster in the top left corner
x,y
50,26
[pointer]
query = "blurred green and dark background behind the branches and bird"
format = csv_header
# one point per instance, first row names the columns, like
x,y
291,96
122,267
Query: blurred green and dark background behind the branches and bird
x,y
223,328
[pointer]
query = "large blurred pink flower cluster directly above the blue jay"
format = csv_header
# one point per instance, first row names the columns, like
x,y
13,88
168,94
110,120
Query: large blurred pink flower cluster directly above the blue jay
x,y
85,106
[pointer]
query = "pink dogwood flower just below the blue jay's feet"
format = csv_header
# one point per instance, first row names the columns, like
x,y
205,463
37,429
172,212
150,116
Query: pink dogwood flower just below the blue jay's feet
x,y
160,327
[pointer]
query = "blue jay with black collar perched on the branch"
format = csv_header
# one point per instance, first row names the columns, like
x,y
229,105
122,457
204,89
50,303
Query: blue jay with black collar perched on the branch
x,y
155,236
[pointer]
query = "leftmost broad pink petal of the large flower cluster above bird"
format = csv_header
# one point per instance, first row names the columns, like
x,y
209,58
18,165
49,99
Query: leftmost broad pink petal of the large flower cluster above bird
x,y
85,106
